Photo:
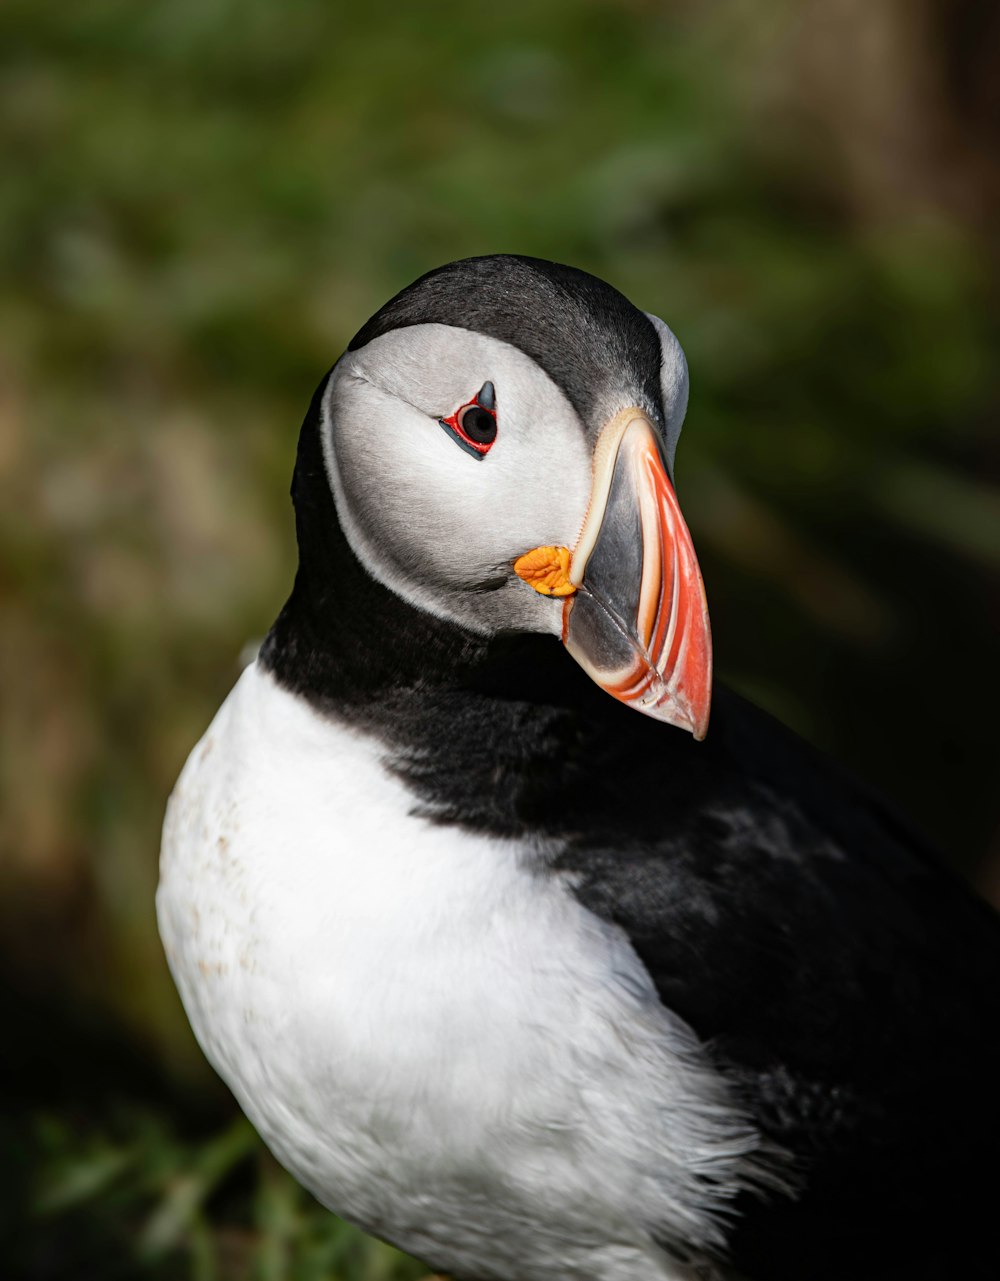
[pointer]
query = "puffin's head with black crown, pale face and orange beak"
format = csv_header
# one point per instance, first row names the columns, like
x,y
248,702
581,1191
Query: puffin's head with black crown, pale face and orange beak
x,y
499,441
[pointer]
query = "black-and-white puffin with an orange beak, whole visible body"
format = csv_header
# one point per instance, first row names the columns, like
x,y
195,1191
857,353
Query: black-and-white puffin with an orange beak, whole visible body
x,y
509,956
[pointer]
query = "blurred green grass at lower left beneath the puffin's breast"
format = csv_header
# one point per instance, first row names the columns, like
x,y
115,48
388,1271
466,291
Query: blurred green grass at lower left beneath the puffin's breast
x,y
136,1201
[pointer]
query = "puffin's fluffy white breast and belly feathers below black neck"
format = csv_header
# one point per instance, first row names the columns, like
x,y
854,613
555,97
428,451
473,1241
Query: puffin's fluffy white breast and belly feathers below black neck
x,y
424,1025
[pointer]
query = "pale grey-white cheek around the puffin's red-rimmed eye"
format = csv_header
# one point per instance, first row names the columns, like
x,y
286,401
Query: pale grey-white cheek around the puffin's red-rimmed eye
x,y
430,521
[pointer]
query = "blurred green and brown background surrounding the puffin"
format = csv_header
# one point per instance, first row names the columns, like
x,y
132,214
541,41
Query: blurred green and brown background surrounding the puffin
x,y
200,202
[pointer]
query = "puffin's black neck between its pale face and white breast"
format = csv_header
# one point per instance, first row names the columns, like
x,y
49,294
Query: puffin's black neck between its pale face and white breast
x,y
481,727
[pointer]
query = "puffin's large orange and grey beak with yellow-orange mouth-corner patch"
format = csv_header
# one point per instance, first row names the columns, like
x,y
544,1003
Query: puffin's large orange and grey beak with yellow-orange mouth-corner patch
x,y
634,616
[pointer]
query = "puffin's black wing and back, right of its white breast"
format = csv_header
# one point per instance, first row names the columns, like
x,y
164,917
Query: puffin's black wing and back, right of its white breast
x,y
844,981
